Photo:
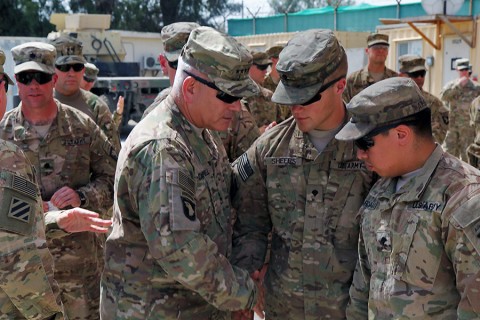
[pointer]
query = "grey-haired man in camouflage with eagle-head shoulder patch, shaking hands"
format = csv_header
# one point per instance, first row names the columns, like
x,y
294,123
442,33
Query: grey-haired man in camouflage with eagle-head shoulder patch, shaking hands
x,y
167,255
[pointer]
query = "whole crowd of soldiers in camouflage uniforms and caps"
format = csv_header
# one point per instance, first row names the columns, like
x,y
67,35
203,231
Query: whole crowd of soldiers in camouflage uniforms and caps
x,y
301,193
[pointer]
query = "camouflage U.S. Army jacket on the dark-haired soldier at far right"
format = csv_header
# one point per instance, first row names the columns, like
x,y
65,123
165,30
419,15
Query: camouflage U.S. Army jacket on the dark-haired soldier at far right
x,y
419,247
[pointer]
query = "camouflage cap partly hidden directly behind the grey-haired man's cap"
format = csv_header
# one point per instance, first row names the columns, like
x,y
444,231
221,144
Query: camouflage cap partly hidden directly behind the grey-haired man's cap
x,y
174,37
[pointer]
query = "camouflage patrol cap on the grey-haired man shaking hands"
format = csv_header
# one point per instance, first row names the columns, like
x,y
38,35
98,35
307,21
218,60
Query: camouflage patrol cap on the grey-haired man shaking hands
x,y
224,60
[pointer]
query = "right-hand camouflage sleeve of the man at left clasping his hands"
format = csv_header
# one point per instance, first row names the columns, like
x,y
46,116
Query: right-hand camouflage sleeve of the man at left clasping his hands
x,y
103,160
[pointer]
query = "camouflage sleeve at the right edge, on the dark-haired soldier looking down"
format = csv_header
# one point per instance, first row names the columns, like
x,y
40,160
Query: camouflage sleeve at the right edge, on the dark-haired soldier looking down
x,y
462,246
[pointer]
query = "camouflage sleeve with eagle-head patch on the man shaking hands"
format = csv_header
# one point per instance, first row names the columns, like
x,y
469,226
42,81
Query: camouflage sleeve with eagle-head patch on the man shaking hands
x,y
175,240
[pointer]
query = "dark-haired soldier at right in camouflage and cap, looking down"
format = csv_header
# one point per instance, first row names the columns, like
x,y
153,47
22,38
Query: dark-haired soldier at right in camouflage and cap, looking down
x,y
419,246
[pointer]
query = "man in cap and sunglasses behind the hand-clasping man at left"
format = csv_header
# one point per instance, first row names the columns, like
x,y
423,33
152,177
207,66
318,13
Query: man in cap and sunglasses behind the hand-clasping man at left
x,y
70,69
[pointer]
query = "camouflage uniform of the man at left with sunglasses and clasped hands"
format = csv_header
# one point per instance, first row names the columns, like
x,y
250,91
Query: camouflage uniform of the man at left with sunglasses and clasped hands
x,y
77,154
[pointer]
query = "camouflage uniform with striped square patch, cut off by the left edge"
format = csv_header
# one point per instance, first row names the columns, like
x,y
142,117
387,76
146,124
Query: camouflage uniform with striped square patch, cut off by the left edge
x,y
27,288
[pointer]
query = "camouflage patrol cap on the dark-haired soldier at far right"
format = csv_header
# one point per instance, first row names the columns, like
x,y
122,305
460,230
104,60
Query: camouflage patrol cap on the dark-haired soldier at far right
x,y
386,102
